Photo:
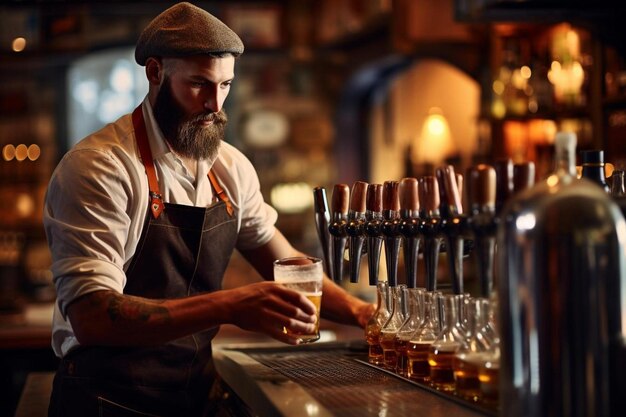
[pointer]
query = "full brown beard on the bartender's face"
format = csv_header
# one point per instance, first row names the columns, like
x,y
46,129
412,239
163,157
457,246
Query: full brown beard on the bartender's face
x,y
185,133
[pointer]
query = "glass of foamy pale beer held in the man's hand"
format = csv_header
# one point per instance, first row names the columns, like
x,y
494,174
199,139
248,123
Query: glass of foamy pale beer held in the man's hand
x,y
305,275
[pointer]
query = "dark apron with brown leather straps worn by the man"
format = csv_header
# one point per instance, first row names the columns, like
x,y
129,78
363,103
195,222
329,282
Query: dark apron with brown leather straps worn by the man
x,y
183,250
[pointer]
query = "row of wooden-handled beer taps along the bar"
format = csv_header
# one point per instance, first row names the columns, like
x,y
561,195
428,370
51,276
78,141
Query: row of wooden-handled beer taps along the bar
x,y
418,216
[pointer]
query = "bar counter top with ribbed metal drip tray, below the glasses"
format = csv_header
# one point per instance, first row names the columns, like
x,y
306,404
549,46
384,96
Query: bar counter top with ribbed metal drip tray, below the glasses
x,y
329,379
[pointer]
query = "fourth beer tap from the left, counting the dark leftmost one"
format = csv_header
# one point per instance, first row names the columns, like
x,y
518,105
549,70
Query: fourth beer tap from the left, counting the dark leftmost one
x,y
374,217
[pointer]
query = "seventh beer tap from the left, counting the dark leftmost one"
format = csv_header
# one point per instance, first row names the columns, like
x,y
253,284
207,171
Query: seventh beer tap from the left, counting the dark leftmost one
x,y
430,227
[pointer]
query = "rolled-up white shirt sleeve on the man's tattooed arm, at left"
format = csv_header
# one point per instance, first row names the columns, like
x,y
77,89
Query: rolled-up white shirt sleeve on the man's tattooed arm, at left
x,y
87,224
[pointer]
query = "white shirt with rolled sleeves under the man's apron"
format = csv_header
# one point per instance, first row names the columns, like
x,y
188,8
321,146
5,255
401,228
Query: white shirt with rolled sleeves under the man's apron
x,y
97,202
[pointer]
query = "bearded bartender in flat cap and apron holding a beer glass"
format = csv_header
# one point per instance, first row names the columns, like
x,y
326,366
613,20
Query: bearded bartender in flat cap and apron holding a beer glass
x,y
142,218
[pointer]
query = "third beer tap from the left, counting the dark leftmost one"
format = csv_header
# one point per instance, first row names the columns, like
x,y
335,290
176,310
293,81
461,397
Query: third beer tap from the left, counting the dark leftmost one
x,y
356,228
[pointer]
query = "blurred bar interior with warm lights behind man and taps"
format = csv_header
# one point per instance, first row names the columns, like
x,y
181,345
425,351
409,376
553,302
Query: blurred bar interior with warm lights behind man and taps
x,y
327,91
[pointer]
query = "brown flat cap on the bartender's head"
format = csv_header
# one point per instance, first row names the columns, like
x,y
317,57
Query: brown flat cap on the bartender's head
x,y
184,30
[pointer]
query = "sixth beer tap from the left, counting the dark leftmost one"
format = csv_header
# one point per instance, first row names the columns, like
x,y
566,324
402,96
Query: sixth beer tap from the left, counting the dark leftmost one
x,y
409,226
